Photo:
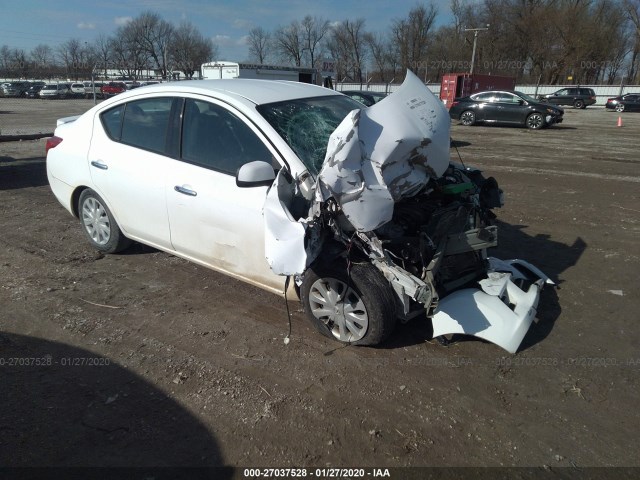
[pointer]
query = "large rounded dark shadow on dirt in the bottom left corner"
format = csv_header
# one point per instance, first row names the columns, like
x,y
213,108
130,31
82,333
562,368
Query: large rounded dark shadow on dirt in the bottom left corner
x,y
66,407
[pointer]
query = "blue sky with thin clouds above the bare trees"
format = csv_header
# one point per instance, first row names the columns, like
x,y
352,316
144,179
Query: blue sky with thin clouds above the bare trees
x,y
25,24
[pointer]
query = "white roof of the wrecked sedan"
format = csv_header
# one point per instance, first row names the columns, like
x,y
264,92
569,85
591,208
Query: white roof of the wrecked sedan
x,y
256,91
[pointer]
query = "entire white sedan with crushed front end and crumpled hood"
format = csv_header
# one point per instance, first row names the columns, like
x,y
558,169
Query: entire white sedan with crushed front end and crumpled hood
x,y
264,181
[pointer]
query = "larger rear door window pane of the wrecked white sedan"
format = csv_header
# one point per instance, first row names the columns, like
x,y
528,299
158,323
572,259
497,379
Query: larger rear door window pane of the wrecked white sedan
x,y
146,124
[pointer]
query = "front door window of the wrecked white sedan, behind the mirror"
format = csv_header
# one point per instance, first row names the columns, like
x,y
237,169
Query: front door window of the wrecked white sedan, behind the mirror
x,y
215,138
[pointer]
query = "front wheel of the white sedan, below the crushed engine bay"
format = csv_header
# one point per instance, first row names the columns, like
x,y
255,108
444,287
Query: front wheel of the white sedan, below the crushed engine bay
x,y
367,317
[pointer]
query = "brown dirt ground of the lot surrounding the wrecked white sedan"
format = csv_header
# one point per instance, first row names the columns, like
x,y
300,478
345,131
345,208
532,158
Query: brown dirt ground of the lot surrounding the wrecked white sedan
x,y
143,359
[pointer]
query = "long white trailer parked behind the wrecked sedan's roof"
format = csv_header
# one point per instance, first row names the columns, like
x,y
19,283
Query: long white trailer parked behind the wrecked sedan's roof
x,y
221,69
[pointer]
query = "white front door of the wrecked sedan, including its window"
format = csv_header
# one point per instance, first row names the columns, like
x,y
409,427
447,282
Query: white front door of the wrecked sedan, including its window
x,y
213,221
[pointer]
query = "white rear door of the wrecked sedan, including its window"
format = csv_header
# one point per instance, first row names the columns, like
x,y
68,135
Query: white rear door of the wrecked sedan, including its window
x,y
129,161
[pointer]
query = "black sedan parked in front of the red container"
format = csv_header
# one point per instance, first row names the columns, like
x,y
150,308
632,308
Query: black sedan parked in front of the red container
x,y
505,107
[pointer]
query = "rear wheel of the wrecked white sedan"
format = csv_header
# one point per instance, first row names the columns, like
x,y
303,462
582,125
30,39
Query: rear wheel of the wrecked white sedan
x,y
99,225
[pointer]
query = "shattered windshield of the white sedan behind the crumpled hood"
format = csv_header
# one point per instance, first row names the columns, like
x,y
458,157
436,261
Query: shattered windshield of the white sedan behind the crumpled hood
x,y
306,124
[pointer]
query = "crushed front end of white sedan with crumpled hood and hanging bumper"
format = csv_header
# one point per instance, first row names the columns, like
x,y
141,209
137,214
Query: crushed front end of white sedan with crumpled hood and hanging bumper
x,y
388,195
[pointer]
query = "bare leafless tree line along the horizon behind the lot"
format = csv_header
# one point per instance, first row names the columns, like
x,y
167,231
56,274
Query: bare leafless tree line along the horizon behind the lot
x,y
545,41
